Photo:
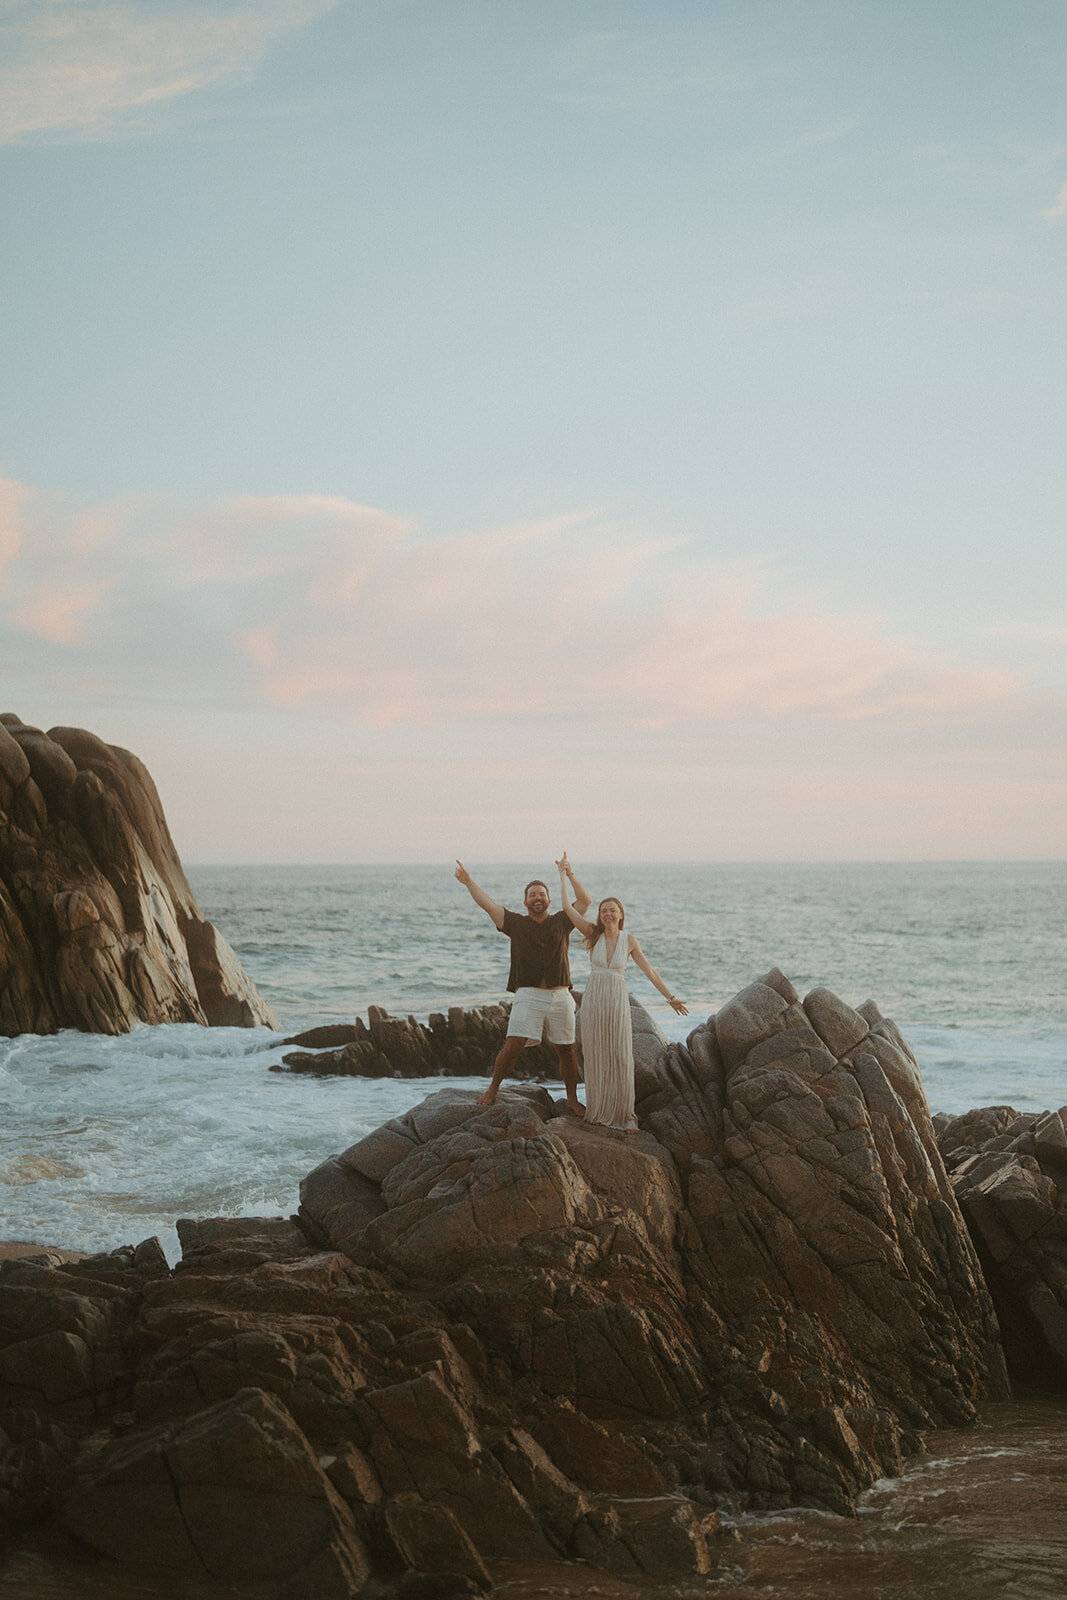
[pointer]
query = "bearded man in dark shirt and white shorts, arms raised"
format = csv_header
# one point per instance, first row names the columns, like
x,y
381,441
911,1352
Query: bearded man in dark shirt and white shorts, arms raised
x,y
540,978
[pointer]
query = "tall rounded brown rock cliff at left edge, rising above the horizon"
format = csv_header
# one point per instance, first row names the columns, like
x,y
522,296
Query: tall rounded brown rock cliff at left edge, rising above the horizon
x,y
98,924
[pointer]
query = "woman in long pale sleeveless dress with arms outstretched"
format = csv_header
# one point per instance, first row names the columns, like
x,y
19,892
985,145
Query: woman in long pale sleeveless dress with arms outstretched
x,y
605,1017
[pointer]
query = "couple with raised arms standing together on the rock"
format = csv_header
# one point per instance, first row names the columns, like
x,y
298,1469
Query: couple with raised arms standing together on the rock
x,y
541,983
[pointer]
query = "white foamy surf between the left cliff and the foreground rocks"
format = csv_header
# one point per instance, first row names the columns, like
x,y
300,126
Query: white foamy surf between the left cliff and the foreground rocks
x,y
108,1142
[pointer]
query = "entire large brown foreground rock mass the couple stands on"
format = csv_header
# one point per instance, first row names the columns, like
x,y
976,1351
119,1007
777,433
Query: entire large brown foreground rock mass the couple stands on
x,y
498,1332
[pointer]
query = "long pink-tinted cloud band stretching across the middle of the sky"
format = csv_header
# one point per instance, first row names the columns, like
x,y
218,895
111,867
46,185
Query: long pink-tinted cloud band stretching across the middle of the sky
x,y
314,602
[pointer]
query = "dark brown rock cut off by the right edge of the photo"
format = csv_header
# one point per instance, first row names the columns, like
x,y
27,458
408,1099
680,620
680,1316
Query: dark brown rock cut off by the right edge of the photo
x,y
1010,1178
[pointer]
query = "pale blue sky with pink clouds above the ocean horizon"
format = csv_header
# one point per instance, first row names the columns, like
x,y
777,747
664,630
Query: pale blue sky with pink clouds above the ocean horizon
x,y
486,428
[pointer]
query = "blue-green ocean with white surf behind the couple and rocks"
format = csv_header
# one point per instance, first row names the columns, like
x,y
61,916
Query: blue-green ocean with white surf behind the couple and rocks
x,y
106,1142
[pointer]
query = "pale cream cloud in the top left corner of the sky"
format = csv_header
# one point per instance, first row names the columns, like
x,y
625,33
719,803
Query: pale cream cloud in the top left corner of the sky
x,y
81,68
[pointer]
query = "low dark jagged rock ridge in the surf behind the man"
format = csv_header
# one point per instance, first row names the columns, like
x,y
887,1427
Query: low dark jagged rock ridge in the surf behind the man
x,y
460,1044
